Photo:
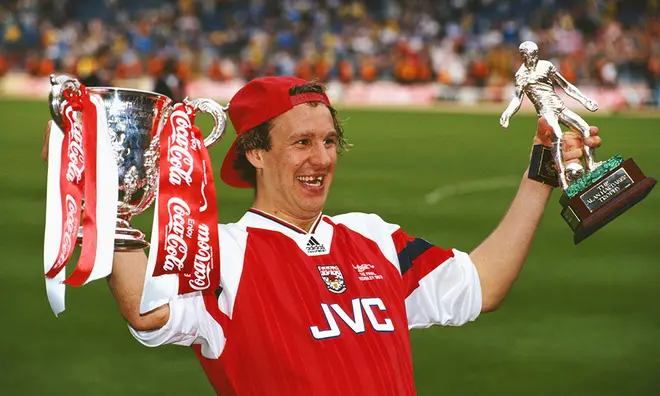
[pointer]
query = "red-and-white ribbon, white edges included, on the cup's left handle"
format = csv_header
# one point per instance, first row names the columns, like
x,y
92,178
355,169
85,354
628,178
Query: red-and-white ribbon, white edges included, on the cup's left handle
x,y
78,156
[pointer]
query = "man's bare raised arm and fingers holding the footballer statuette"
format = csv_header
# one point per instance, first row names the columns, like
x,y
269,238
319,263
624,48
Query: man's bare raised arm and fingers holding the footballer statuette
x,y
500,257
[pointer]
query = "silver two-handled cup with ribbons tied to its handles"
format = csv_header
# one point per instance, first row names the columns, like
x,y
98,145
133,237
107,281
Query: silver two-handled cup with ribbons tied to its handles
x,y
135,119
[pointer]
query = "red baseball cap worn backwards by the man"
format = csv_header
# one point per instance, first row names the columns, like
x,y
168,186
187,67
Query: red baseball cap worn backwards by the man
x,y
258,101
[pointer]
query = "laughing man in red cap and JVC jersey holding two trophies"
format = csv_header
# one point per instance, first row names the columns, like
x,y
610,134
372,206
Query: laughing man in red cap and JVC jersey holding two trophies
x,y
312,304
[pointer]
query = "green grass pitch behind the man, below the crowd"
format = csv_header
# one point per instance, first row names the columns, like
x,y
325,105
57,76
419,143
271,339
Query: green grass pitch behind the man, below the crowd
x,y
581,320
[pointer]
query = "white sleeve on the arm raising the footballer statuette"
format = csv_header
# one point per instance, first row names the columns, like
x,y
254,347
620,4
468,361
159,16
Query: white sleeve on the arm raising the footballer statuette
x,y
449,295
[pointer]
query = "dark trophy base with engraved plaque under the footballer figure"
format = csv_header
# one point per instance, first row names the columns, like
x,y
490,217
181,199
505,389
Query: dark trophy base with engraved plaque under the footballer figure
x,y
605,199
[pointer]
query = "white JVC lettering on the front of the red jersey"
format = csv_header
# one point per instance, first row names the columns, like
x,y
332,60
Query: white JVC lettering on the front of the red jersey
x,y
355,321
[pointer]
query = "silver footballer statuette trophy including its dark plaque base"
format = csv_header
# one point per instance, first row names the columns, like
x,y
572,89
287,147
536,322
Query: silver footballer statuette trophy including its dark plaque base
x,y
594,193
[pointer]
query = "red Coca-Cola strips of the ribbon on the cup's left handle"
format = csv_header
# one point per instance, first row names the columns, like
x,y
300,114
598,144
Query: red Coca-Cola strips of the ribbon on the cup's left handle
x,y
78,179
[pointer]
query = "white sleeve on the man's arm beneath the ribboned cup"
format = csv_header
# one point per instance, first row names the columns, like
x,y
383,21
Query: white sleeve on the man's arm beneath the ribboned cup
x,y
189,323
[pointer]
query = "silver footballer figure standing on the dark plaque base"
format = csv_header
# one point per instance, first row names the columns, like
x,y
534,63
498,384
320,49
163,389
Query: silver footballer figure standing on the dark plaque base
x,y
536,79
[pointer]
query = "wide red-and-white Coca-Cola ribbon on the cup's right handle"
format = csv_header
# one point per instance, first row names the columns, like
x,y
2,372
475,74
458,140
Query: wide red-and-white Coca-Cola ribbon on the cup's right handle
x,y
185,236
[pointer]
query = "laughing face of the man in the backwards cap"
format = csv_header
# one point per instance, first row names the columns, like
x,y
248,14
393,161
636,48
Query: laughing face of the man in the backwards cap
x,y
294,176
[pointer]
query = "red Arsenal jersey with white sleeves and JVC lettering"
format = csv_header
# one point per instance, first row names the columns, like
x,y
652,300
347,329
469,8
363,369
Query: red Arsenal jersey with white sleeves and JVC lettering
x,y
324,312
